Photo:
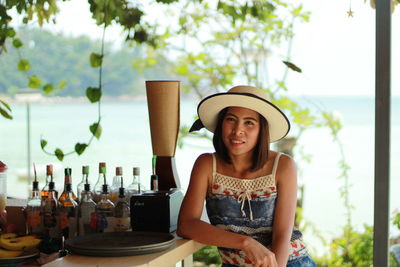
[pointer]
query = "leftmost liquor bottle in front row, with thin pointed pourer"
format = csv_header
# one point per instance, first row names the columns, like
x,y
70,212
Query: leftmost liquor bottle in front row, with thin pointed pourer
x,y
33,211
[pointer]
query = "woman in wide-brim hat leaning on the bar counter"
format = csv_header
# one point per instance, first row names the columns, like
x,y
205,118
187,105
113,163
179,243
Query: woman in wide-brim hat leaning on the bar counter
x,y
250,191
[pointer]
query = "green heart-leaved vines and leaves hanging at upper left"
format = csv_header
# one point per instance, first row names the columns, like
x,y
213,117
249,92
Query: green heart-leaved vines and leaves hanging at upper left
x,y
104,12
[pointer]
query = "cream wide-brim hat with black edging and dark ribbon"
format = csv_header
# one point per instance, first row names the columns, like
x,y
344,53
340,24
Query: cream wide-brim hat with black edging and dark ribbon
x,y
242,96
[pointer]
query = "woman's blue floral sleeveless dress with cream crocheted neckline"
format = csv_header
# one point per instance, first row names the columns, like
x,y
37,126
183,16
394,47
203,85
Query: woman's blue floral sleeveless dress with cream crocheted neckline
x,y
247,207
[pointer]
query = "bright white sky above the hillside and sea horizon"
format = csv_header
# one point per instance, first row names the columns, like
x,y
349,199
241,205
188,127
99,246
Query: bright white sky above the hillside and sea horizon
x,y
336,52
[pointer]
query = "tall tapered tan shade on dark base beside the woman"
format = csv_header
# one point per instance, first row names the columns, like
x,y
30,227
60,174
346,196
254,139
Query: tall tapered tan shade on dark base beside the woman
x,y
163,104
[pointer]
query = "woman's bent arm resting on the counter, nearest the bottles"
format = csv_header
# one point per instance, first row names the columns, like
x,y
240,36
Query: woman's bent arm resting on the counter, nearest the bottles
x,y
190,225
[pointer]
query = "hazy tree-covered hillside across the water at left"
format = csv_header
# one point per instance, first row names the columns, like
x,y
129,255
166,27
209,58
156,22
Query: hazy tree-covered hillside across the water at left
x,y
55,57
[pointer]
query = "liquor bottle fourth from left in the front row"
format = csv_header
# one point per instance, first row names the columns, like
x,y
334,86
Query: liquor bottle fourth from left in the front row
x,y
86,212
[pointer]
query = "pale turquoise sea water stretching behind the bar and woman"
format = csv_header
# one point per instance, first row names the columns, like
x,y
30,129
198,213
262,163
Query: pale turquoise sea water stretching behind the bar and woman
x,y
126,142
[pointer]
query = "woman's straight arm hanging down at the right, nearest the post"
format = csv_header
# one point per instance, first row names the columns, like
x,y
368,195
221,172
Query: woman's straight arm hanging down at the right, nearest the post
x,y
286,181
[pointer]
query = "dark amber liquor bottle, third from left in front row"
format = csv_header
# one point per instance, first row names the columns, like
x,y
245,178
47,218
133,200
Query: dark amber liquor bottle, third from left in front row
x,y
67,210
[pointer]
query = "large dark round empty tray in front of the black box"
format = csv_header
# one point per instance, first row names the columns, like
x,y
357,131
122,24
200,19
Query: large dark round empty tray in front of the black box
x,y
116,244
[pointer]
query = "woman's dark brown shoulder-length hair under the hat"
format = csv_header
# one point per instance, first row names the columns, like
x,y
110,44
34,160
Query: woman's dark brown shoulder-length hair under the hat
x,y
261,150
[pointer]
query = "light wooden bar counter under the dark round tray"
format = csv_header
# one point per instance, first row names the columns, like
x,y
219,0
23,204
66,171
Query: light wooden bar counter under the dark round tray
x,y
181,250
